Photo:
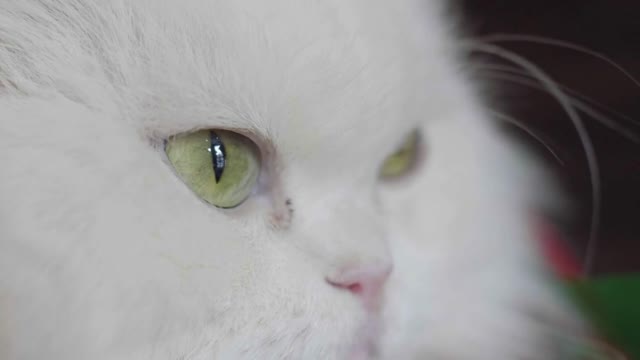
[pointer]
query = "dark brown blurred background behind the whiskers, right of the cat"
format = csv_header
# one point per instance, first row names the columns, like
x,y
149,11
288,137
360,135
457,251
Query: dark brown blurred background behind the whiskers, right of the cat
x,y
611,28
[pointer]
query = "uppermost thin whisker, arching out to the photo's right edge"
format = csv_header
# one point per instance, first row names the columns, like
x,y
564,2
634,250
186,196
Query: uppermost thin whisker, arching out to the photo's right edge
x,y
493,38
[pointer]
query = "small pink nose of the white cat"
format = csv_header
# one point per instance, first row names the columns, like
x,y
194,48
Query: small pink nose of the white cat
x,y
365,281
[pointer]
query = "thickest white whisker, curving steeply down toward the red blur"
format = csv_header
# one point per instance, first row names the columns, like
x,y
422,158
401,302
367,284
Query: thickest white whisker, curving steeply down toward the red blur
x,y
583,134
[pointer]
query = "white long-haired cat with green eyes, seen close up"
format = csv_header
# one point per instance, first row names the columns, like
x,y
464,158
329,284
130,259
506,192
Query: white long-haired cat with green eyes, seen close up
x,y
111,244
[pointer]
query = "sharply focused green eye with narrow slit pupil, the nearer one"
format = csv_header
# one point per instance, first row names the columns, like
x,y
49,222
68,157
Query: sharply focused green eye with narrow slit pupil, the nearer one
x,y
221,167
